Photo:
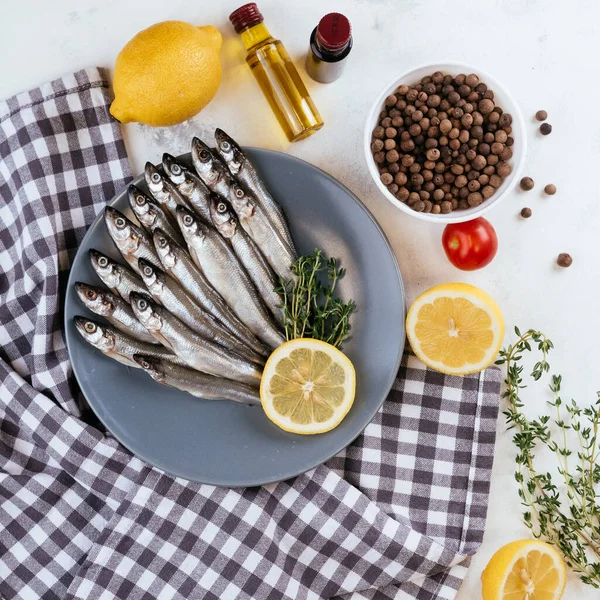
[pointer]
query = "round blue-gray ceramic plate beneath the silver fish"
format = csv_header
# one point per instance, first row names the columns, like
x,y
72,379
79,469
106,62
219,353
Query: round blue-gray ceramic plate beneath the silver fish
x,y
224,443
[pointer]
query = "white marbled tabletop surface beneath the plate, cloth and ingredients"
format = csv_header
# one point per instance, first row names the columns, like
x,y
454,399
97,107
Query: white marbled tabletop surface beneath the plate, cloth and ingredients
x,y
544,51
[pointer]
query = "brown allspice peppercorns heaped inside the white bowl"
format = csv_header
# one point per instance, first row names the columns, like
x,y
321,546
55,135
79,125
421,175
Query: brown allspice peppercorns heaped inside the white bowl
x,y
443,144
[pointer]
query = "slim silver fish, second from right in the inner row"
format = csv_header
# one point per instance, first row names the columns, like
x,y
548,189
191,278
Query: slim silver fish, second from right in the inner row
x,y
227,224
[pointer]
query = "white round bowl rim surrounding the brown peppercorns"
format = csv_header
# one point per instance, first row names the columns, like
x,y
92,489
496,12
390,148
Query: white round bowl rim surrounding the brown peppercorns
x,y
501,96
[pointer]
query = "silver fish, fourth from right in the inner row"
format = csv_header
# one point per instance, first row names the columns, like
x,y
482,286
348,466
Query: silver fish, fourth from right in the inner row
x,y
178,263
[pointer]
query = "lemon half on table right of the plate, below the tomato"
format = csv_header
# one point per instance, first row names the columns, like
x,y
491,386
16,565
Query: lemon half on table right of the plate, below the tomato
x,y
455,328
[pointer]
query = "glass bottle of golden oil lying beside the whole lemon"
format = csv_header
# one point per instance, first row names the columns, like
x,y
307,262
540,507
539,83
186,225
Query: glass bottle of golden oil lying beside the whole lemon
x,y
276,75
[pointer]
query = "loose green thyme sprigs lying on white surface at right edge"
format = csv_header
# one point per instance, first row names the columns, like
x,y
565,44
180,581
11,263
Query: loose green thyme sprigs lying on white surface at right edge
x,y
567,516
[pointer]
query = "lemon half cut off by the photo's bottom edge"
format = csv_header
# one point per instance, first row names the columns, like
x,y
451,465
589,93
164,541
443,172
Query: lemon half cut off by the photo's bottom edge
x,y
524,570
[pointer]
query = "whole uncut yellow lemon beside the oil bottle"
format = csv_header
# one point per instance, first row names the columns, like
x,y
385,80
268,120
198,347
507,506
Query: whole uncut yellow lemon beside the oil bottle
x,y
167,73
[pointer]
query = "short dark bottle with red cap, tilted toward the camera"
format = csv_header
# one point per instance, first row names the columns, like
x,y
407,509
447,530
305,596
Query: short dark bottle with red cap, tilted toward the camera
x,y
330,44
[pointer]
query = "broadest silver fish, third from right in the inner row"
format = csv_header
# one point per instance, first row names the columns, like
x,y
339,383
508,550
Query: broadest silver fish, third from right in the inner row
x,y
221,267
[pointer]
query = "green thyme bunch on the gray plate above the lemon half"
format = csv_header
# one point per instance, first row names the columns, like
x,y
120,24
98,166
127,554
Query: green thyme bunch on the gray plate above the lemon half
x,y
312,309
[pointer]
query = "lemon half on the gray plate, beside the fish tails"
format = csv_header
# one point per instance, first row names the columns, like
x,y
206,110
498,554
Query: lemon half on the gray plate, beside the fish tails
x,y
307,386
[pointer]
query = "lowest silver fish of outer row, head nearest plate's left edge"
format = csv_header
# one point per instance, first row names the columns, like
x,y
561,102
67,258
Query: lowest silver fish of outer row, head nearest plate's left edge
x,y
118,345
